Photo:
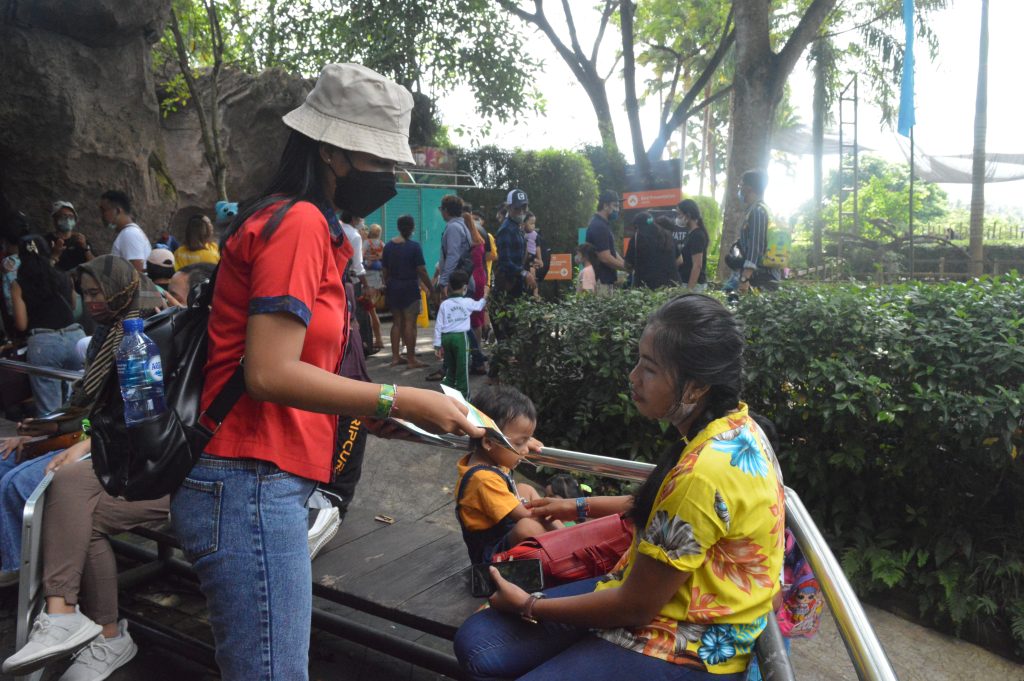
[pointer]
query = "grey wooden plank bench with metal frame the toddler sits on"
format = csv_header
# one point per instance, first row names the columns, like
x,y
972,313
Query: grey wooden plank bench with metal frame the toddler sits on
x,y
413,573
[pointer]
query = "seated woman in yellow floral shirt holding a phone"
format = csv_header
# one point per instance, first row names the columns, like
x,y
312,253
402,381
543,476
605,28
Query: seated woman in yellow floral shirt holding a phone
x,y
696,588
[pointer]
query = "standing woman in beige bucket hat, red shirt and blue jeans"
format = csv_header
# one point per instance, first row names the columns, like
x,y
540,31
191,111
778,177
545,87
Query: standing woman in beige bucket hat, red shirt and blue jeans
x,y
280,303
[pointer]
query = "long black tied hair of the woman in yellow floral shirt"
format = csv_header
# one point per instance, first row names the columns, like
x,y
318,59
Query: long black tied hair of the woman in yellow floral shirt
x,y
697,339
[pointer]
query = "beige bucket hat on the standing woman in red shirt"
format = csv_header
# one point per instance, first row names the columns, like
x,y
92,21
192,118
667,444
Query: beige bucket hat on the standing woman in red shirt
x,y
357,109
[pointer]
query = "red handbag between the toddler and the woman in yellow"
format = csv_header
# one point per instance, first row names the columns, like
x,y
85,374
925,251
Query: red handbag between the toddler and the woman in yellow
x,y
578,552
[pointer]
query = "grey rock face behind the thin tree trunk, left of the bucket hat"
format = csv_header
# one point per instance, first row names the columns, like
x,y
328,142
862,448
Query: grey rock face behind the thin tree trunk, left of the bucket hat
x,y
252,135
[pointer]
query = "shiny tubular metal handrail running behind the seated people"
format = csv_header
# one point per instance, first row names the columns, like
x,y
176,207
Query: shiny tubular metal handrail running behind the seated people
x,y
869,658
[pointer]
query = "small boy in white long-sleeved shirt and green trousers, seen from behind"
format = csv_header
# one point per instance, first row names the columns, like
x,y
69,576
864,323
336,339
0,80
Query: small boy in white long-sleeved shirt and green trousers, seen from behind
x,y
451,342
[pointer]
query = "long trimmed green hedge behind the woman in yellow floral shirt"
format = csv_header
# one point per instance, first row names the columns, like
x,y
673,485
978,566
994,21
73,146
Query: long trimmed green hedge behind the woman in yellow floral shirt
x,y
898,407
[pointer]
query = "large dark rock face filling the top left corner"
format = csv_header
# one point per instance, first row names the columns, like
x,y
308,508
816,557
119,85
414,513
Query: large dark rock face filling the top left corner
x,y
78,109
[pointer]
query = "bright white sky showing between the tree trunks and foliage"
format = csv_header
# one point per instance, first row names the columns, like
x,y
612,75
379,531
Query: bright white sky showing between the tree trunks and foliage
x,y
946,101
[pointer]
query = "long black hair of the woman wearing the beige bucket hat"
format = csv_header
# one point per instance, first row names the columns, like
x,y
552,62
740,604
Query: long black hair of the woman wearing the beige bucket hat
x,y
300,178
